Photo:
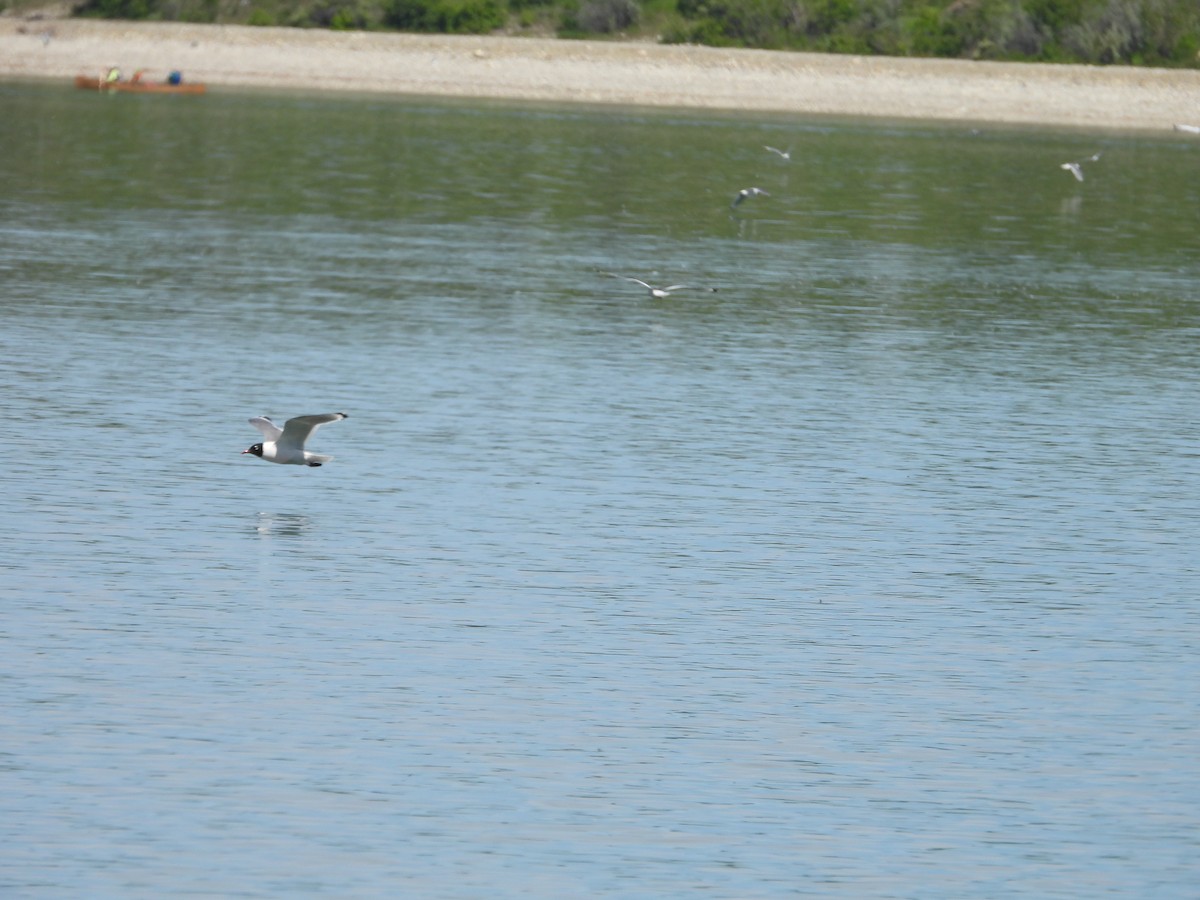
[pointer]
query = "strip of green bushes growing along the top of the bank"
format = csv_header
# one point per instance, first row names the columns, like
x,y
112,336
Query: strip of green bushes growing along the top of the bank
x,y
1154,33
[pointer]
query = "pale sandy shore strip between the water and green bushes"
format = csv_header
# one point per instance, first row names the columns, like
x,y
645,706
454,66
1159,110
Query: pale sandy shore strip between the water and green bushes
x,y
604,73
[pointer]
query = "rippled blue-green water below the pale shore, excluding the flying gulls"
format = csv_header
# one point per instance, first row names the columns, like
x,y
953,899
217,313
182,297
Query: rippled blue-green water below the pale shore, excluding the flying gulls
x,y
871,575
